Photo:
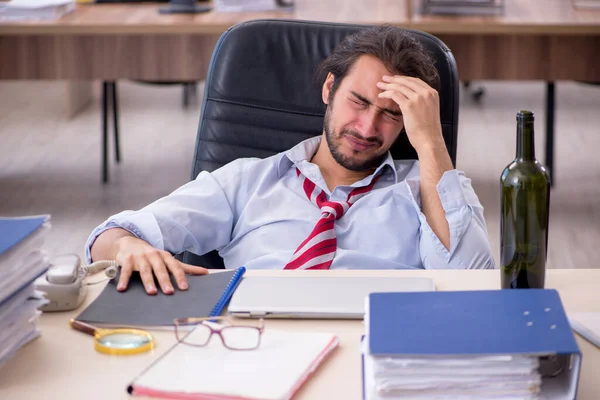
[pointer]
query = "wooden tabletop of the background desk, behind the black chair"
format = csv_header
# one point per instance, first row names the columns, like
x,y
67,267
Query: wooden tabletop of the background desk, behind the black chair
x,y
521,17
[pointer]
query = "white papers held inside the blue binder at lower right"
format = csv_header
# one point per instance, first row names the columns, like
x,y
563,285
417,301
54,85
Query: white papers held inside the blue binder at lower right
x,y
499,377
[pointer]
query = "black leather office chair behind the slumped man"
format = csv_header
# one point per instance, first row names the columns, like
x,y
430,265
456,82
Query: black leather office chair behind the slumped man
x,y
260,98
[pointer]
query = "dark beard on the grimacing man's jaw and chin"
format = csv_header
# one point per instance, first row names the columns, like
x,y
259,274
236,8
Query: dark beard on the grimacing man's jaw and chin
x,y
350,163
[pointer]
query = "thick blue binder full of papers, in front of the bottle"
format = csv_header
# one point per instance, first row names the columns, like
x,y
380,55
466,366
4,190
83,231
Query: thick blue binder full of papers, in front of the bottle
x,y
503,344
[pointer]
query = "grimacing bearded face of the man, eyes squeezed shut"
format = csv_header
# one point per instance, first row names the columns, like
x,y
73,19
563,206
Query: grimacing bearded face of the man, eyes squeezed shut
x,y
359,126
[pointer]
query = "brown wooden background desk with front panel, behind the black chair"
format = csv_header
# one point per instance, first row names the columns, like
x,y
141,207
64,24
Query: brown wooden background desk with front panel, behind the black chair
x,y
533,40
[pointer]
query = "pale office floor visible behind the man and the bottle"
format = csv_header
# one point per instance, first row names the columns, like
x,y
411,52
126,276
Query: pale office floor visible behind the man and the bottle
x,y
51,164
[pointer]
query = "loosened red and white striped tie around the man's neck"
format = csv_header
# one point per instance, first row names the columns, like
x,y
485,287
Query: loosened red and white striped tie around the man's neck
x,y
318,249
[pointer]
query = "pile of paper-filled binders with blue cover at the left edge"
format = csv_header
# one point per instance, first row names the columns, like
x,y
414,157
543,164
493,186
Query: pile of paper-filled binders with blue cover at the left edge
x,y
22,260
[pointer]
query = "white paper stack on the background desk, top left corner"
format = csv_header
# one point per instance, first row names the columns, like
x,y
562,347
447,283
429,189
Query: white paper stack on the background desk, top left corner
x,y
18,10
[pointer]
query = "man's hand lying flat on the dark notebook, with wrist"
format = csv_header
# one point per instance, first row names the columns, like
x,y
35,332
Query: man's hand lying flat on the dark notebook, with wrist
x,y
134,254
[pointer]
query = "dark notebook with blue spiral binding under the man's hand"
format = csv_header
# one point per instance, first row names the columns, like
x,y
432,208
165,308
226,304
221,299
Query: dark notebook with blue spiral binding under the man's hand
x,y
206,296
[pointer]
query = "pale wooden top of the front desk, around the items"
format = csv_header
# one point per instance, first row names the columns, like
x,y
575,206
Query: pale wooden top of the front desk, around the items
x,y
63,364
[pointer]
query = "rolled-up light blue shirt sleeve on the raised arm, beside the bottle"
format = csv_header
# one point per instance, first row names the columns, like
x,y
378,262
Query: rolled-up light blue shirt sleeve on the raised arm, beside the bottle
x,y
469,243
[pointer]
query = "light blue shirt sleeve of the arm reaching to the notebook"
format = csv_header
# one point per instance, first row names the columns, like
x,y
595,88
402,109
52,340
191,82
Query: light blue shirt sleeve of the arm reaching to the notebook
x,y
198,217
